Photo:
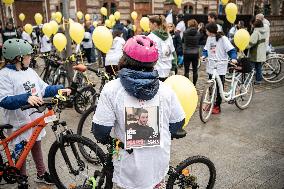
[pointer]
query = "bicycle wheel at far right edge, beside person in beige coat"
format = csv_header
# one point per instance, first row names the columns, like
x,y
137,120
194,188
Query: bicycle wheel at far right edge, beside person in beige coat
x,y
271,70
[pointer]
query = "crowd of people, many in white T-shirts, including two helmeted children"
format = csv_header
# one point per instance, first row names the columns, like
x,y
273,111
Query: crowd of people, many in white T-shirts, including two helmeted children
x,y
142,63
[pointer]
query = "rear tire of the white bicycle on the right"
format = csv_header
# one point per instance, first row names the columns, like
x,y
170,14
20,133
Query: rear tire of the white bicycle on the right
x,y
240,86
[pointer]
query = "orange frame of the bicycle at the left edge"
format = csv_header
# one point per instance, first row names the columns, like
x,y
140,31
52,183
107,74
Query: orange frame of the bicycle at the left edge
x,y
39,124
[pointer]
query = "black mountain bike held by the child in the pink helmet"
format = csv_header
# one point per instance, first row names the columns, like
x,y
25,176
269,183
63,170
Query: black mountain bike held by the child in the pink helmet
x,y
194,172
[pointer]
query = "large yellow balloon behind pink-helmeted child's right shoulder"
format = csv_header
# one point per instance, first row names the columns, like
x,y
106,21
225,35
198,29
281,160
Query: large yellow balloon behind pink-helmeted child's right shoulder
x,y
186,93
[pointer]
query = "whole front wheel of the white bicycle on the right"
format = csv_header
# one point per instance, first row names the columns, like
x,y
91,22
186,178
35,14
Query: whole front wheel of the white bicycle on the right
x,y
207,102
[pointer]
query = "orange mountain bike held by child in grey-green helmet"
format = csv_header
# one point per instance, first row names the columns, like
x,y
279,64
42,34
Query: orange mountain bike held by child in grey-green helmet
x,y
10,169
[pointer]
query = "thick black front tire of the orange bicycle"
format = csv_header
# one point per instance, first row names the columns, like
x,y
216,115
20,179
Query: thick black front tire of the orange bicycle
x,y
55,147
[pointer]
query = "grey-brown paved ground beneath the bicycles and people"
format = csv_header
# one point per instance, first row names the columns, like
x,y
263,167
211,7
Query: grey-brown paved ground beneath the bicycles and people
x,y
247,147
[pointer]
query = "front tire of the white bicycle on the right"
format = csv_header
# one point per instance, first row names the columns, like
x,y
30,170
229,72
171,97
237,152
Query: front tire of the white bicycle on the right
x,y
201,110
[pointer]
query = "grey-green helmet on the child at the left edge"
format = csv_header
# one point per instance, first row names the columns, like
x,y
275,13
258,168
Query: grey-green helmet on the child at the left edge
x,y
16,47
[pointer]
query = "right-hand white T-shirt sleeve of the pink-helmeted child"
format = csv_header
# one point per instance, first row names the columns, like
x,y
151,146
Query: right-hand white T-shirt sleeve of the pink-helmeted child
x,y
177,113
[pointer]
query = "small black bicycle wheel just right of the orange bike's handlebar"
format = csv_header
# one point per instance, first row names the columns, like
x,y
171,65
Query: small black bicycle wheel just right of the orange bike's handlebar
x,y
84,99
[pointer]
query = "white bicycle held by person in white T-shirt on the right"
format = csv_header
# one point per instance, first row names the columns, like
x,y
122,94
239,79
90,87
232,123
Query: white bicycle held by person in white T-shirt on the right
x,y
240,92
